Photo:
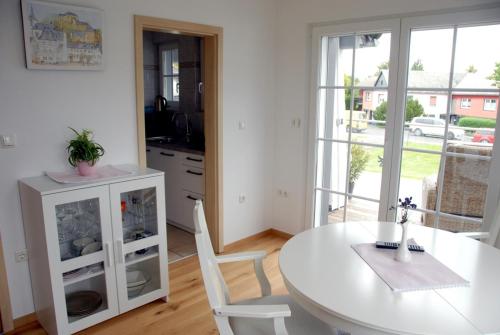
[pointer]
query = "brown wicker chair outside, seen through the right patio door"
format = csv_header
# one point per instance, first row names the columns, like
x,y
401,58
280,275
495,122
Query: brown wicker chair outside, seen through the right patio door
x,y
464,188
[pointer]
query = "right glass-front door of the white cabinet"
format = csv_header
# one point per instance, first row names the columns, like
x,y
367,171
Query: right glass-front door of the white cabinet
x,y
139,227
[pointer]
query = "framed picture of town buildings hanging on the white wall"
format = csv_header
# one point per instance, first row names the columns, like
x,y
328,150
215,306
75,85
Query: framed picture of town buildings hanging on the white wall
x,y
62,37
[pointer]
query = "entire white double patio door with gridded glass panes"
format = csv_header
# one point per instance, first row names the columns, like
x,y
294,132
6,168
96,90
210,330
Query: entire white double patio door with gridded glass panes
x,y
406,107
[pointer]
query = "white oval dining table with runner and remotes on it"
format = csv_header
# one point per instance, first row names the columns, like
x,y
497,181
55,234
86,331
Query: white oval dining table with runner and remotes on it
x,y
328,278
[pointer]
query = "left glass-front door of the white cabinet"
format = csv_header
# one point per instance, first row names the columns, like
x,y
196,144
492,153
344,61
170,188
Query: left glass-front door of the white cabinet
x,y
80,246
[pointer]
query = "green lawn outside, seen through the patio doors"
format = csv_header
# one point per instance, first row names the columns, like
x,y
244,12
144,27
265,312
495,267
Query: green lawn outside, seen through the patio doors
x,y
415,165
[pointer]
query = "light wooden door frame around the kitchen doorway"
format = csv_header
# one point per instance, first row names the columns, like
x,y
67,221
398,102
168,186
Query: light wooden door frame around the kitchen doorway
x,y
212,74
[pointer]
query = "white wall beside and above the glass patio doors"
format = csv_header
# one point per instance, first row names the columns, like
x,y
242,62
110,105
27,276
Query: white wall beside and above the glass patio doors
x,y
292,80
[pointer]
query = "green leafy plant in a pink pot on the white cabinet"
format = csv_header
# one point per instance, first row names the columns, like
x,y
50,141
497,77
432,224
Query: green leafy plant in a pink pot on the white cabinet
x,y
84,152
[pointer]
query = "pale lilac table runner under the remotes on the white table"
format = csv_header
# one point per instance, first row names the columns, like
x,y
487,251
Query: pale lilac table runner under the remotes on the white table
x,y
424,272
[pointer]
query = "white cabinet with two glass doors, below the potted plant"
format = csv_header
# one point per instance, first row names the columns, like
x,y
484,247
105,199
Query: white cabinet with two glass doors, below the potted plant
x,y
95,250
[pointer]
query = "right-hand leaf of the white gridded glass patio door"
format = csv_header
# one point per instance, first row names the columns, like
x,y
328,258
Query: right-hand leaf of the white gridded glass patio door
x,y
450,101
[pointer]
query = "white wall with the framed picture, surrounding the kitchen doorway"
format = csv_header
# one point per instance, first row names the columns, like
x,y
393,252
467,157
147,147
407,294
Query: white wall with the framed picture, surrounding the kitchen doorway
x,y
39,105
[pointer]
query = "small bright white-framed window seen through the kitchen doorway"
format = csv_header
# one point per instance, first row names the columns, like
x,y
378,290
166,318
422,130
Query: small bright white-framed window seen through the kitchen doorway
x,y
169,76
